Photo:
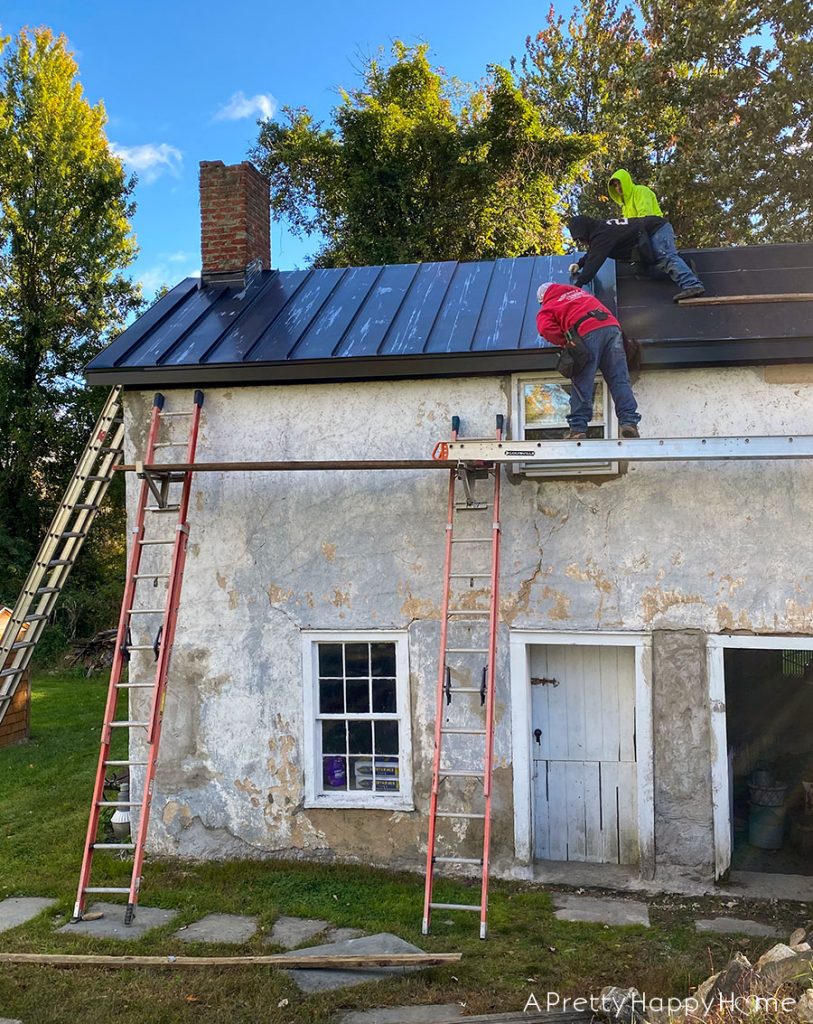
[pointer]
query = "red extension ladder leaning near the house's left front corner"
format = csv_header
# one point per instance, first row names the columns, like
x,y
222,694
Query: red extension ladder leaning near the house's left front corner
x,y
157,486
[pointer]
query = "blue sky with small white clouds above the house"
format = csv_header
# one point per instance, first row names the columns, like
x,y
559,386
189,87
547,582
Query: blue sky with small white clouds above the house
x,y
186,81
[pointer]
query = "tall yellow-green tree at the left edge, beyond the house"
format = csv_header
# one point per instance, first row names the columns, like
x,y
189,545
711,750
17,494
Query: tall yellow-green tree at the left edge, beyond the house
x,y
65,241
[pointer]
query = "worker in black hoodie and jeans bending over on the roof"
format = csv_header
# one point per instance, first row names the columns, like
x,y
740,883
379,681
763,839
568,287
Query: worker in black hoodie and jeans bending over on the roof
x,y
653,238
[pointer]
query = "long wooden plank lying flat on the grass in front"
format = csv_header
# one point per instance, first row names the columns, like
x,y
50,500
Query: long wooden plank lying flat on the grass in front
x,y
333,963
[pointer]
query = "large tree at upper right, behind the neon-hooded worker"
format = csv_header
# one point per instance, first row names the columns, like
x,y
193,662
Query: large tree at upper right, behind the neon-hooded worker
x,y
709,102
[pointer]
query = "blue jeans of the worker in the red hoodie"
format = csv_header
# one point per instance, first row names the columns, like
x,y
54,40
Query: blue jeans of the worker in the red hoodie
x,y
606,352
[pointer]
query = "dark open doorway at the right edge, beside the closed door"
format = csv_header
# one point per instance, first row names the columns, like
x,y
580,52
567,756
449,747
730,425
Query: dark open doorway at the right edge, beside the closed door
x,y
769,728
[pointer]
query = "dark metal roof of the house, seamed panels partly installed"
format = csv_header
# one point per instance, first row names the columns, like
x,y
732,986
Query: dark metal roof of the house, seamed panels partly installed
x,y
430,320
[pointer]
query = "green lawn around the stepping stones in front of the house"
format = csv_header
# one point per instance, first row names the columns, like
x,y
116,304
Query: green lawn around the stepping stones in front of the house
x,y
45,792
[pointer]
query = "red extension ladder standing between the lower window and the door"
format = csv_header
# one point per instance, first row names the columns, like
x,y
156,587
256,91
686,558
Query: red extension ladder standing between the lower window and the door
x,y
452,619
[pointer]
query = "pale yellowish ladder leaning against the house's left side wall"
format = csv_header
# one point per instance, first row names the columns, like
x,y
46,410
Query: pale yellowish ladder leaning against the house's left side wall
x,y
59,551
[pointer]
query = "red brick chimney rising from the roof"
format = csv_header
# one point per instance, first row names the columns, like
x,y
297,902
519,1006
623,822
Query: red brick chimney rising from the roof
x,y
236,230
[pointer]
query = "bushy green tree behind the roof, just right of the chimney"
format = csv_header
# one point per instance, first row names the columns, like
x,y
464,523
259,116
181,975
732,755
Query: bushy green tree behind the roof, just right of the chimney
x,y
417,167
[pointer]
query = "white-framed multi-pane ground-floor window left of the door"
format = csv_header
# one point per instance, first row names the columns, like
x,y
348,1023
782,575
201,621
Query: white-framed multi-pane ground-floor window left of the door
x,y
358,726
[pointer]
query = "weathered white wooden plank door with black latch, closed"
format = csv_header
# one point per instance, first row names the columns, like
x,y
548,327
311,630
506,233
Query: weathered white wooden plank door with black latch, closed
x,y
584,751
